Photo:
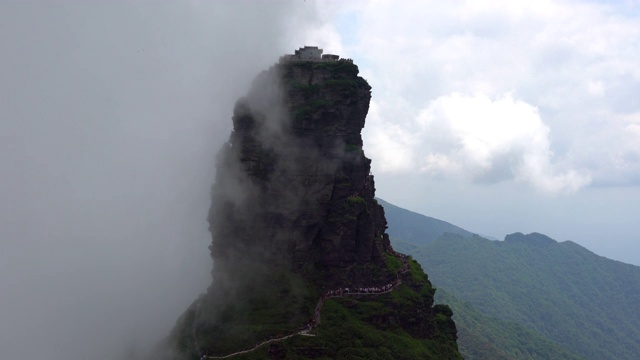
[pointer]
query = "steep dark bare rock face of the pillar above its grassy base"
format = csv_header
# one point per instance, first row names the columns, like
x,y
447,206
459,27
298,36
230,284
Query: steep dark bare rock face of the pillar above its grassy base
x,y
293,185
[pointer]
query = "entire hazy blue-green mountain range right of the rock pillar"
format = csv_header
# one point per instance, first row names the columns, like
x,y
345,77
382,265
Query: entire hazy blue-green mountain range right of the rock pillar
x,y
528,297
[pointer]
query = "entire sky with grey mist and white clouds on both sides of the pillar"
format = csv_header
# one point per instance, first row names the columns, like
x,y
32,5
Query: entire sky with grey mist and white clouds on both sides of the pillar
x,y
496,116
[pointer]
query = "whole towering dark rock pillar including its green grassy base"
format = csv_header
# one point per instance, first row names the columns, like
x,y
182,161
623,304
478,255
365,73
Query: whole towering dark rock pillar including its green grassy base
x,y
303,267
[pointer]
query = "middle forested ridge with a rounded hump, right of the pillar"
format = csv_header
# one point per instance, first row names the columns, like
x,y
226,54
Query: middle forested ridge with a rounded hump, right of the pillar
x,y
584,301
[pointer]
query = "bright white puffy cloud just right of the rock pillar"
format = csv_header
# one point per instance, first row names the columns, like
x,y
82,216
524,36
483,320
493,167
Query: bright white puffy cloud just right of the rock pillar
x,y
476,138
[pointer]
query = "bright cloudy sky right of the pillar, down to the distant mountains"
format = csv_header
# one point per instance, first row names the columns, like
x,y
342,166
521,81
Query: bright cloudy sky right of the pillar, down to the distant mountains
x,y
505,116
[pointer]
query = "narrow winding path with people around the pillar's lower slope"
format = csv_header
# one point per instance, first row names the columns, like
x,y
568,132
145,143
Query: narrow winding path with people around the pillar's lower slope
x,y
342,292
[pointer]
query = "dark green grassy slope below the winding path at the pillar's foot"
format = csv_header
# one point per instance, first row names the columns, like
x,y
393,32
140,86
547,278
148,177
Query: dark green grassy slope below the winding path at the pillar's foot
x,y
364,328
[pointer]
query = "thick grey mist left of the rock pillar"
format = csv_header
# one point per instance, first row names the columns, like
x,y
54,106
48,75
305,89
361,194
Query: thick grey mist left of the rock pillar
x,y
112,114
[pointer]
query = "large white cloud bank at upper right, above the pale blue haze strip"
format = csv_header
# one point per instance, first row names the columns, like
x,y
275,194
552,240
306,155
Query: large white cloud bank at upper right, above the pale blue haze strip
x,y
573,62
